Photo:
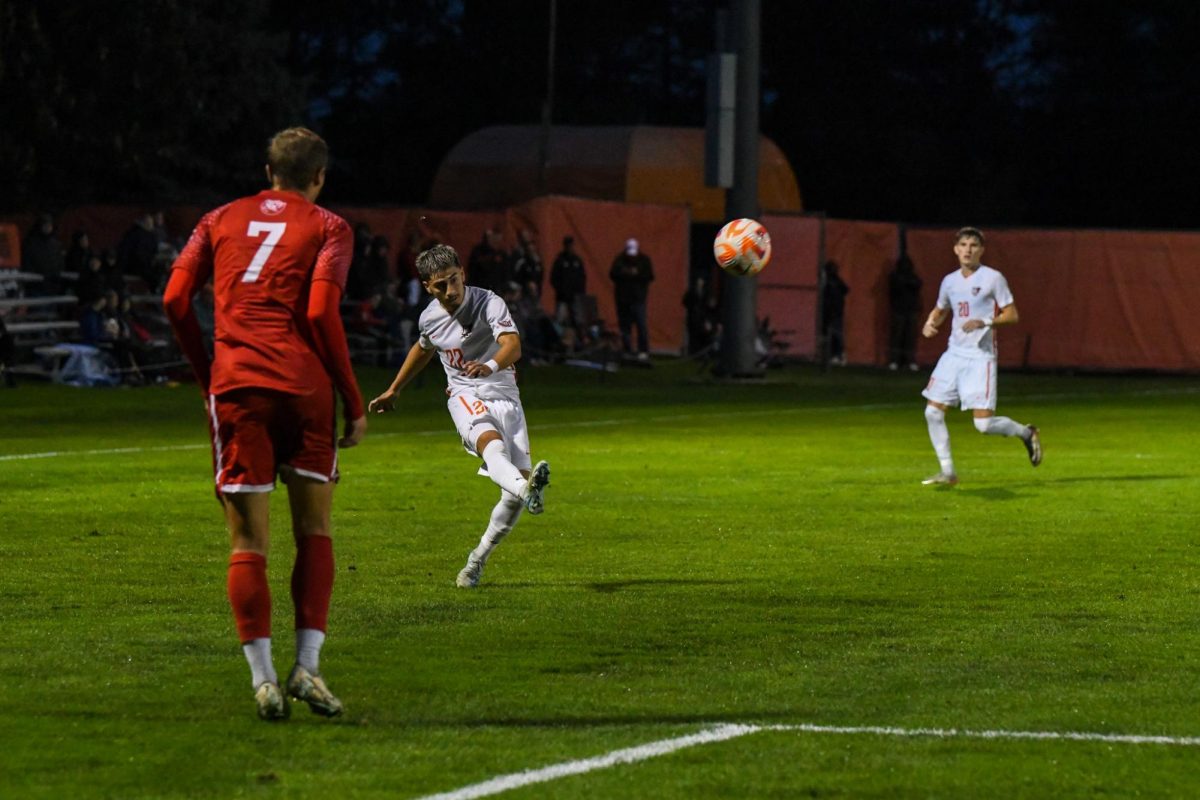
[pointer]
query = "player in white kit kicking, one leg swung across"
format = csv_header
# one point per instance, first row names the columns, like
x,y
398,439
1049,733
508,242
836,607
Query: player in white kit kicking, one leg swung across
x,y
473,333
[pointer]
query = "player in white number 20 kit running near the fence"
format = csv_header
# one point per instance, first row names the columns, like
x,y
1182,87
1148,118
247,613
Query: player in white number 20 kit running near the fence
x,y
965,376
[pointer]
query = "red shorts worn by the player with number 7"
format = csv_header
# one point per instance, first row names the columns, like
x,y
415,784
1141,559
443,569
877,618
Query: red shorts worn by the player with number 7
x,y
259,432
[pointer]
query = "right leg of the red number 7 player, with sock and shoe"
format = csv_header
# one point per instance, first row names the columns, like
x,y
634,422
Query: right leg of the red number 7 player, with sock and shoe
x,y
313,585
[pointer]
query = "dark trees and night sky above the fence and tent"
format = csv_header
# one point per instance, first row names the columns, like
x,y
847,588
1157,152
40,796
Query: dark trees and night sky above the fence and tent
x,y
1004,112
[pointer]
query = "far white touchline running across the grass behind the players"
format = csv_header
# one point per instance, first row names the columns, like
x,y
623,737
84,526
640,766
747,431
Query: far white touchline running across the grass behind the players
x,y
593,424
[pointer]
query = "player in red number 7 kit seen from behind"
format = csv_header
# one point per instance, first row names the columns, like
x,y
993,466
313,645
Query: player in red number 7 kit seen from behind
x,y
279,266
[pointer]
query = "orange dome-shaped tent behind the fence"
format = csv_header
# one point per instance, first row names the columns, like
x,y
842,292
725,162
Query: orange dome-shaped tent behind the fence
x,y
499,167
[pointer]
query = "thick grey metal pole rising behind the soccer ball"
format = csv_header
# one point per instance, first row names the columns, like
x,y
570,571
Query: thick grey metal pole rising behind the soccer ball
x,y
739,312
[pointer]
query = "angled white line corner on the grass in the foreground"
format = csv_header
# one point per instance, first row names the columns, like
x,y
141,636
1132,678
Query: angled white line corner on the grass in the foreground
x,y
725,732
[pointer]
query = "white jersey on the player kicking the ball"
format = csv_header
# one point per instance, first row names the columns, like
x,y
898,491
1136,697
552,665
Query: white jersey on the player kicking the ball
x,y
471,335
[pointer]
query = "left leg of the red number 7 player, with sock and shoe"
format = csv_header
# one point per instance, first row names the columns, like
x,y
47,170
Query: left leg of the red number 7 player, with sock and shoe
x,y
248,515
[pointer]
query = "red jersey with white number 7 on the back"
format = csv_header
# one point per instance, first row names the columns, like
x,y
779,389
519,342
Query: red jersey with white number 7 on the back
x,y
265,252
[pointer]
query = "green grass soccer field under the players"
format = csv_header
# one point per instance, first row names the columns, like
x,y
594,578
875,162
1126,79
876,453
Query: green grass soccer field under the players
x,y
759,555
